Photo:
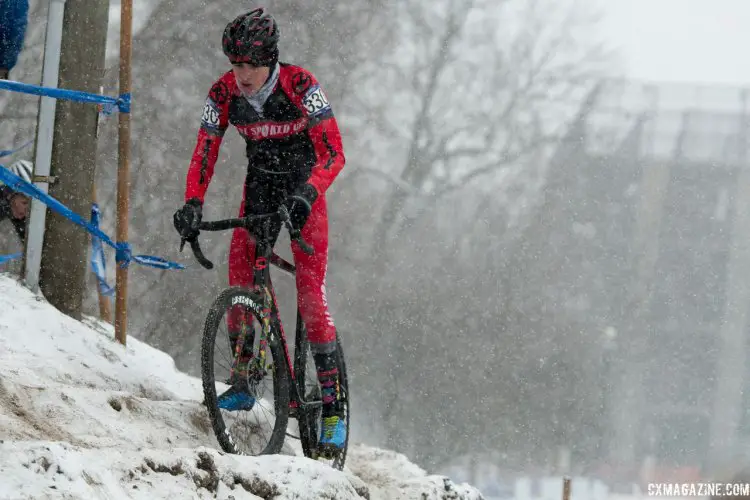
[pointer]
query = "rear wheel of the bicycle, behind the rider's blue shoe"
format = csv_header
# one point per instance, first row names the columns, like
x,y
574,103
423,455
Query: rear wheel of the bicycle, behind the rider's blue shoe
x,y
307,385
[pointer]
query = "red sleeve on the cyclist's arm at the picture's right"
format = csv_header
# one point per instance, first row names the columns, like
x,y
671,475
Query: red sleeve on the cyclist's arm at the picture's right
x,y
323,130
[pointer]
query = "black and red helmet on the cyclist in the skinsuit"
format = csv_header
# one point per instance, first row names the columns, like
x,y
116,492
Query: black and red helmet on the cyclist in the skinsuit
x,y
253,38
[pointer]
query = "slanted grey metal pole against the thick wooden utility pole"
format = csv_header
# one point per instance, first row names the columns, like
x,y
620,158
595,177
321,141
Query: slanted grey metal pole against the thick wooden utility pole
x,y
43,155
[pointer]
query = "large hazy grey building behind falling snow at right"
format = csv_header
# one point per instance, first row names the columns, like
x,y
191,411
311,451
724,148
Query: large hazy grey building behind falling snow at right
x,y
645,224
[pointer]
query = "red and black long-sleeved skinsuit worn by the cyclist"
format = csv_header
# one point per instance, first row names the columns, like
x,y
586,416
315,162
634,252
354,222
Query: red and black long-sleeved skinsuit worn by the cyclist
x,y
294,141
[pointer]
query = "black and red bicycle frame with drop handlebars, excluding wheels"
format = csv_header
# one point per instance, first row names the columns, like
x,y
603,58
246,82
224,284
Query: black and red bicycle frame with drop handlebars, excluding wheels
x,y
262,285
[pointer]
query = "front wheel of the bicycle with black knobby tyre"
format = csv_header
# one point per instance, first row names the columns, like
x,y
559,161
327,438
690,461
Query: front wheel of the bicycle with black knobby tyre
x,y
258,428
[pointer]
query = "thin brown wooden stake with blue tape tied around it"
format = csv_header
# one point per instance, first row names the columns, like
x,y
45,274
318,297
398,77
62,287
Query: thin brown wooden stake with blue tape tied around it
x,y
123,174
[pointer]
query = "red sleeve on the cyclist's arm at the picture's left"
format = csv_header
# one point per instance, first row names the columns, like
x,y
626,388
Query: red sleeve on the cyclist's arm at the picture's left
x,y
214,123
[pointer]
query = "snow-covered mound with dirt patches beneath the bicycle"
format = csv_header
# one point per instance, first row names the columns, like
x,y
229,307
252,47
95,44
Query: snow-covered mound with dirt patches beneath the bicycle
x,y
83,417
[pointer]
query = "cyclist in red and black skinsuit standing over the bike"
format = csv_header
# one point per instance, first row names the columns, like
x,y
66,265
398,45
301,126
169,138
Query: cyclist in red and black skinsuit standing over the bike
x,y
295,152
